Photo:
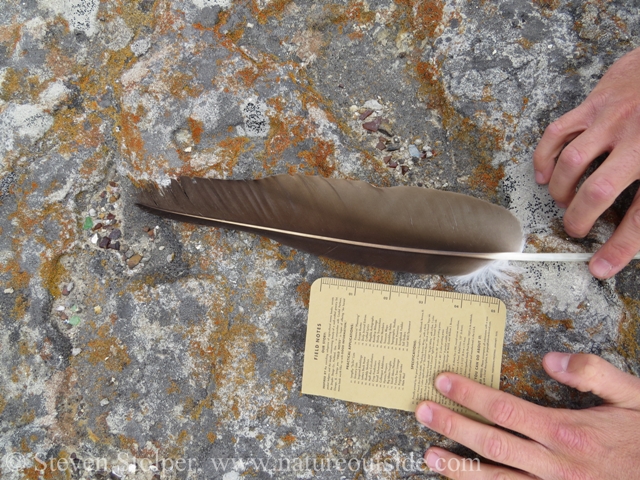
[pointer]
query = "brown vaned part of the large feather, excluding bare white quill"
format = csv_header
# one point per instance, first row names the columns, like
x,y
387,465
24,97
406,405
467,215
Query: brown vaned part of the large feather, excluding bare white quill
x,y
409,229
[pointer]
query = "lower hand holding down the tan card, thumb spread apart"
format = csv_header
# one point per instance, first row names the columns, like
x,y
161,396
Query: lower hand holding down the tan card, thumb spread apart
x,y
598,442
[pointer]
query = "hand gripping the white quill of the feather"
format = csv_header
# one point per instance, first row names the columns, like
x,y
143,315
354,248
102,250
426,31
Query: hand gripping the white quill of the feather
x,y
607,121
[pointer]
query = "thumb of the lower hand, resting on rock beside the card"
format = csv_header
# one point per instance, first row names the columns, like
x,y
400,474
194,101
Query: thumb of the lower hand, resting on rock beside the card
x,y
590,373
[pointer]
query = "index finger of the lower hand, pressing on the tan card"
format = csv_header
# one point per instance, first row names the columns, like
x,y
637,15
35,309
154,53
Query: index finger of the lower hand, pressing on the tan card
x,y
498,407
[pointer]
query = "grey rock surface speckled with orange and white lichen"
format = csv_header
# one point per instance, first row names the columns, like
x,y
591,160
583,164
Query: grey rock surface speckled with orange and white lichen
x,y
132,346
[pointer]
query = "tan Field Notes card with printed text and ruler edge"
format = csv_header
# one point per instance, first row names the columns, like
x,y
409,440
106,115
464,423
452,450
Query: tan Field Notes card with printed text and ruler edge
x,y
384,345
